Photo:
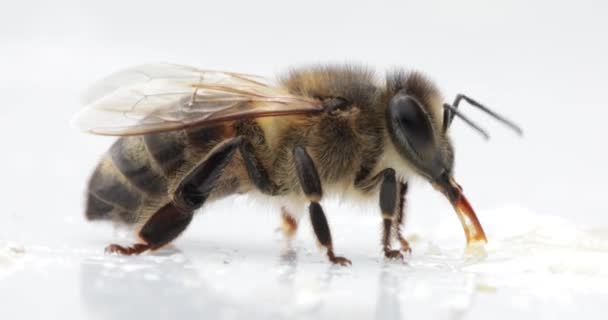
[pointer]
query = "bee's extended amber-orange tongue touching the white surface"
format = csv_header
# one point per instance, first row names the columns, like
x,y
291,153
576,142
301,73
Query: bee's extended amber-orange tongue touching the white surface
x,y
472,228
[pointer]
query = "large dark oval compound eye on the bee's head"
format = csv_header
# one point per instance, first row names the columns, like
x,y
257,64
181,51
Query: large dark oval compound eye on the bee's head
x,y
412,125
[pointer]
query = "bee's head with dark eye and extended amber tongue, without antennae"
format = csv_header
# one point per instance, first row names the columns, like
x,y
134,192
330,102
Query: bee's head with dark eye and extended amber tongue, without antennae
x,y
414,119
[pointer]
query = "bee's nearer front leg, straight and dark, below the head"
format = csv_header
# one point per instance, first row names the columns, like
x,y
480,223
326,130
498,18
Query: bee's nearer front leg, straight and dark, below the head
x,y
389,206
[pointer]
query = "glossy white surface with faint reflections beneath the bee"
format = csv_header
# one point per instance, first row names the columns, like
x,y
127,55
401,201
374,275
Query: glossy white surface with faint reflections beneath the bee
x,y
234,265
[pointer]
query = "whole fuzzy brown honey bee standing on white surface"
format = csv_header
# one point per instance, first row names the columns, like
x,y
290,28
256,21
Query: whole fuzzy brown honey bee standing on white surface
x,y
192,135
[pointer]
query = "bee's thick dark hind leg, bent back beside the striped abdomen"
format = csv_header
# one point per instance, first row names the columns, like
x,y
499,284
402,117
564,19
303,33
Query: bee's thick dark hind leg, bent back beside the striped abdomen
x,y
170,221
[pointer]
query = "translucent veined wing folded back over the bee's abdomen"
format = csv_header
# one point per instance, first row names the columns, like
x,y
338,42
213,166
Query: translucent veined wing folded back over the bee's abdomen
x,y
165,97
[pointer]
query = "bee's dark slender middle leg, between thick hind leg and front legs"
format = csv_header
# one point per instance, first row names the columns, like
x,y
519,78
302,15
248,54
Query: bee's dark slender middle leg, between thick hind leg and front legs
x,y
311,185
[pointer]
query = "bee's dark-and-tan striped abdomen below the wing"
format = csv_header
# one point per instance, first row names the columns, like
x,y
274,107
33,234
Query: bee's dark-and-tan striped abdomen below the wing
x,y
135,177
